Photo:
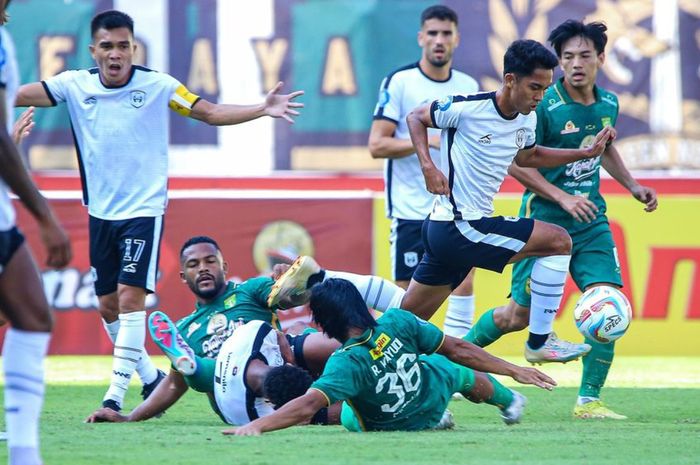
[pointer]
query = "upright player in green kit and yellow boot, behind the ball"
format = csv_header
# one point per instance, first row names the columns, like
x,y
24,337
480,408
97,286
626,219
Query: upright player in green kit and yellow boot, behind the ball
x,y
570,114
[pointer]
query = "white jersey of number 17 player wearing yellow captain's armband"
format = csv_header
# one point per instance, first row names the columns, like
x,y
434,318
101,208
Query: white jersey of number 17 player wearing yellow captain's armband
x,y
121,136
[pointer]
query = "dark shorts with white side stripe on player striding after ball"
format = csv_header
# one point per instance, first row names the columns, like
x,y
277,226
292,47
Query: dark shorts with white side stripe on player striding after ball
x,y
453,248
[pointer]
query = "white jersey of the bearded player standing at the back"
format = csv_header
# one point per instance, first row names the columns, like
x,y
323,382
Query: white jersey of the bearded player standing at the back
x,y
401,92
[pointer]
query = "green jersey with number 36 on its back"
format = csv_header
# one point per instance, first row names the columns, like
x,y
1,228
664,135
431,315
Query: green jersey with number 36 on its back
x,y
384,378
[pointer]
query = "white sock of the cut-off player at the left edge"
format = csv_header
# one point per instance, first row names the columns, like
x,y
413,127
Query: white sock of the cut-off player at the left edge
x,y
23,359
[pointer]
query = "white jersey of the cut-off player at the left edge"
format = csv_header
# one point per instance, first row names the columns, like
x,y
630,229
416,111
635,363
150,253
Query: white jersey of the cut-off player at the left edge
x,y
9,80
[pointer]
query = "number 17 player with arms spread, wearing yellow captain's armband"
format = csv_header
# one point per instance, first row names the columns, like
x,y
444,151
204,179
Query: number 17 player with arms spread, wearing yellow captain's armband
x,y
119,114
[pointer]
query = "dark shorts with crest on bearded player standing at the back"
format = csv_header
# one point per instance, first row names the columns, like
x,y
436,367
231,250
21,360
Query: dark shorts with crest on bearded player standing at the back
x,y
406,247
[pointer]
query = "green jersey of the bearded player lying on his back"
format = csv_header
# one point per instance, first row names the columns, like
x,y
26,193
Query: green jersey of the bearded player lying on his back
x,y
206,329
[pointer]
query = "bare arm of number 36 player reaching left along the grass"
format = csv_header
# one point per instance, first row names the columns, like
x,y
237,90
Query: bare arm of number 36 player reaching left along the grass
x,y
300,410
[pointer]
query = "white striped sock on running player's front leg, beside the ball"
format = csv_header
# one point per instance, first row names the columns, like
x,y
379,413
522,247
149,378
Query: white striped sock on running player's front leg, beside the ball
x,y
546,290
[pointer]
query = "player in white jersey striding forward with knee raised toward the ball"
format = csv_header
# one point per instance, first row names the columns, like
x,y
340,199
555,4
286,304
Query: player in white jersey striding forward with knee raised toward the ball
x,y
481,135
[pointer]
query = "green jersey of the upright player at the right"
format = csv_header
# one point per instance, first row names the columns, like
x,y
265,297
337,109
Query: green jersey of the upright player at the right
x,y
563,123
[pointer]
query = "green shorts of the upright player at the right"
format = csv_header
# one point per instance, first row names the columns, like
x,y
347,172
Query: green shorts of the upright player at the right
x,y
593,260
